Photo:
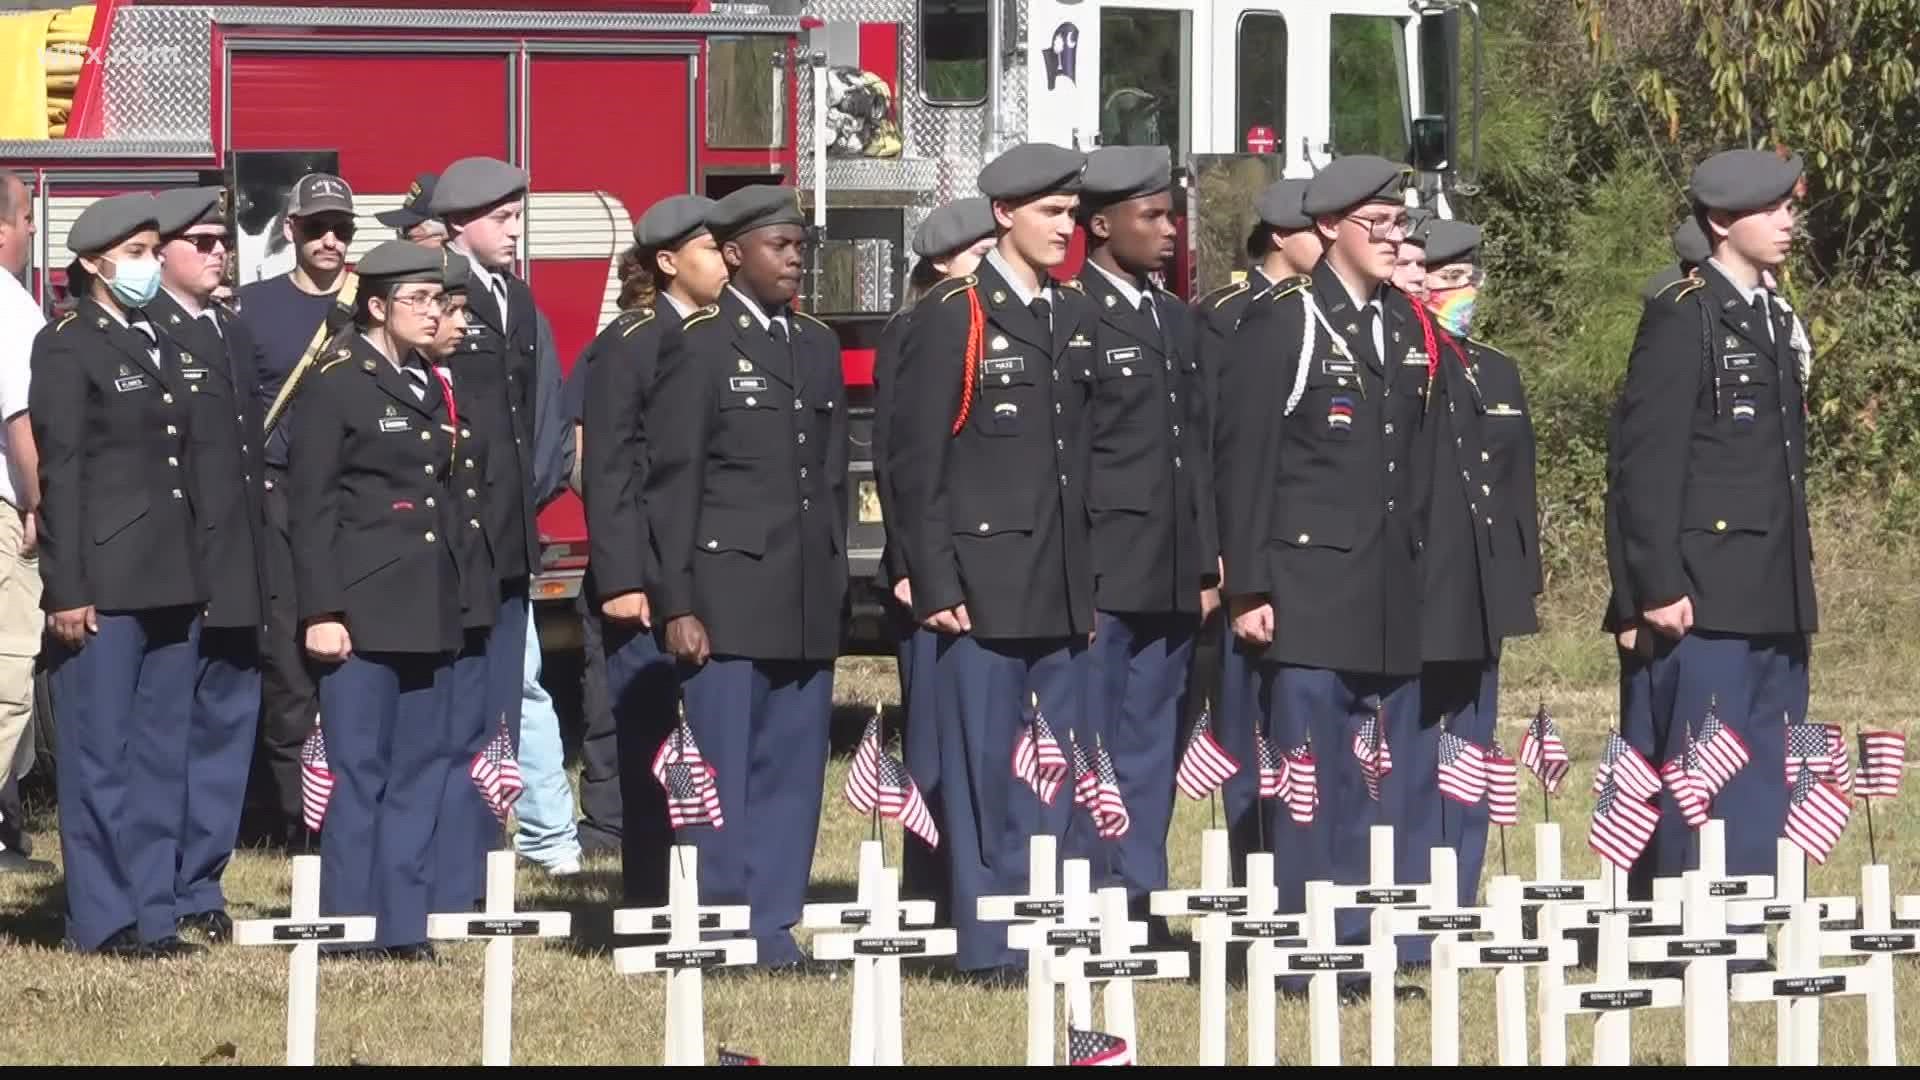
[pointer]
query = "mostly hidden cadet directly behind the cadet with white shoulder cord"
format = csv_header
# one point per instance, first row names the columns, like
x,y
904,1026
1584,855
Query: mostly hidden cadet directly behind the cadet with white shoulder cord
x,y
1284,247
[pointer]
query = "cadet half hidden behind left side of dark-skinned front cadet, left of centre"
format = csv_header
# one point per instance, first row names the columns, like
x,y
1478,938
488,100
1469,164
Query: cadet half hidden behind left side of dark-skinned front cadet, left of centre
x,y
681,272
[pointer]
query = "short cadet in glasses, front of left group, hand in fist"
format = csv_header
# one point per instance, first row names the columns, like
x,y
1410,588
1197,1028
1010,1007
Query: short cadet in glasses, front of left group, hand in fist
x,y
373,508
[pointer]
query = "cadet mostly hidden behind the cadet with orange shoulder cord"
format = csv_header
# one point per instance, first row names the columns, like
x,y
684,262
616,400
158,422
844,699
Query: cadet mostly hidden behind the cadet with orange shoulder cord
x,y
949,243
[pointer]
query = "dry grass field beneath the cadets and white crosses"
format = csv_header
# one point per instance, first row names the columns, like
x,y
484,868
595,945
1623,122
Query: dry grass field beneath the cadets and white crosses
x,y
571,1006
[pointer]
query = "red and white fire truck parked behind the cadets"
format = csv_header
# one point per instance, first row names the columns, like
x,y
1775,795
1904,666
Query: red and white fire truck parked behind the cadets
x,y
876,109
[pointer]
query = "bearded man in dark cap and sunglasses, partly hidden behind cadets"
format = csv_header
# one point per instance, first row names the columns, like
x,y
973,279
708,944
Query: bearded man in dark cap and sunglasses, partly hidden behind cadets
x,y
287,316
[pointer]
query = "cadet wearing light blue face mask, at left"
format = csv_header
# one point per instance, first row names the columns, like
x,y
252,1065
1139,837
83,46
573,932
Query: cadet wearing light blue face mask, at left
x,y
122,583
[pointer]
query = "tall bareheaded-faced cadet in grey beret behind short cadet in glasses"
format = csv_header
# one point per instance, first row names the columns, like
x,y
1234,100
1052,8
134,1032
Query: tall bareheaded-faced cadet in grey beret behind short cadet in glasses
x,y
483,201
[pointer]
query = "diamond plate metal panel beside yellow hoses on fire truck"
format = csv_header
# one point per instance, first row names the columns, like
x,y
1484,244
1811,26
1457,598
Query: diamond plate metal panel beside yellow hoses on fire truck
x,y
158,78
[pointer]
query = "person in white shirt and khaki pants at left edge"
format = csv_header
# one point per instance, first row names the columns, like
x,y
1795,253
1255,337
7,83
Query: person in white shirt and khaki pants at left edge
x,y
20,572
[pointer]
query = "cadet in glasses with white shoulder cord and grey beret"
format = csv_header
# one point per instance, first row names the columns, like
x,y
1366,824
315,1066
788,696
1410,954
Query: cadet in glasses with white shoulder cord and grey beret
x,y
1318,516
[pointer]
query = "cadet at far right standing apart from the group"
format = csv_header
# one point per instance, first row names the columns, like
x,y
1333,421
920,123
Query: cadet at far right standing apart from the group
x,y
1714,581
